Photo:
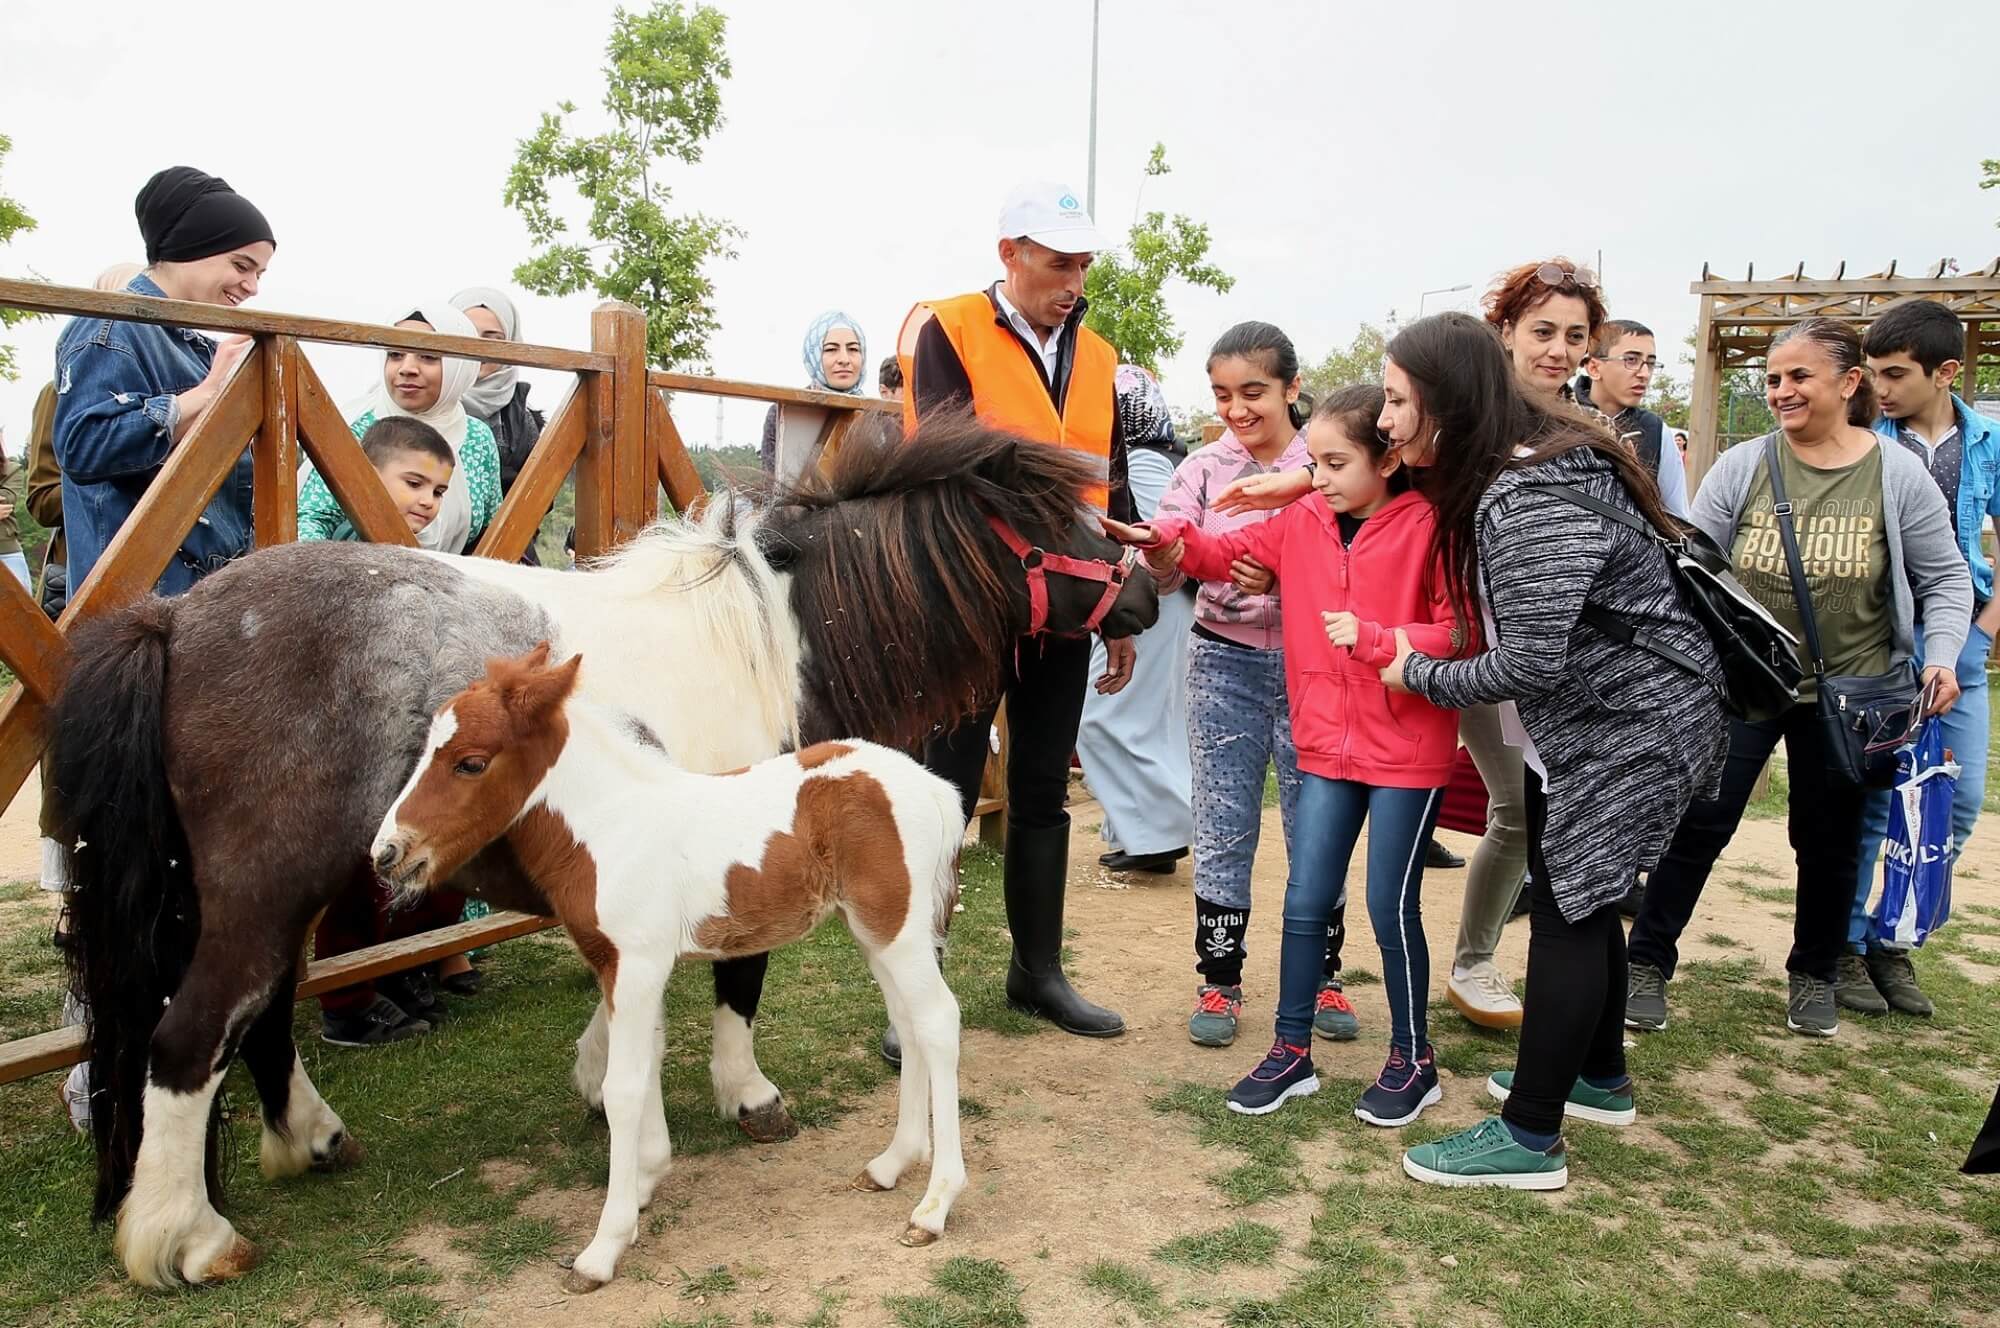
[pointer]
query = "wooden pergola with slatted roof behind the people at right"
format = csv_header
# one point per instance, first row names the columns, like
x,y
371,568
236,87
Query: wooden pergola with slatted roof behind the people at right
x,y
1741,319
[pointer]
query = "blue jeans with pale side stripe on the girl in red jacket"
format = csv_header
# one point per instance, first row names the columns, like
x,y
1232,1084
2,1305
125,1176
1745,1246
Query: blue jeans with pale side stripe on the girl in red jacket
x,y
1331,817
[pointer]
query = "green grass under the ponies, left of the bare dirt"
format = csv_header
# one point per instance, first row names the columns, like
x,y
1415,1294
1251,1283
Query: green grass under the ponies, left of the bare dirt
x,y
491,1085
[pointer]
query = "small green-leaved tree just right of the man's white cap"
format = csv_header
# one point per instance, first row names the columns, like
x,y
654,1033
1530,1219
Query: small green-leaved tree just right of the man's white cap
x,y
1127,291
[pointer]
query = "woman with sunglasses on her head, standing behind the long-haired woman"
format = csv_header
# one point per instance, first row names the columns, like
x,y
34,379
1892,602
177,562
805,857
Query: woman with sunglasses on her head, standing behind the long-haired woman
x,y
1547,317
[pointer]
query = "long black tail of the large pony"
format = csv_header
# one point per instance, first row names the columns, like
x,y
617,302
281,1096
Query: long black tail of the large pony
x,y
133,907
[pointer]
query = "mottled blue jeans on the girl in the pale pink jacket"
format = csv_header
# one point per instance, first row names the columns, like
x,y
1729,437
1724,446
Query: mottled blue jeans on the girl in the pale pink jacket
x,y
1239,723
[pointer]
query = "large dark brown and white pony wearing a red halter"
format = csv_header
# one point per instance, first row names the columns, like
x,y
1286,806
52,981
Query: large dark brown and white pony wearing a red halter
x,y
223,759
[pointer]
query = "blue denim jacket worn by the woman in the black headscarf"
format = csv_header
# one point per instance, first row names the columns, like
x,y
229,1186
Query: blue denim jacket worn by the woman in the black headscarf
x,y
115,427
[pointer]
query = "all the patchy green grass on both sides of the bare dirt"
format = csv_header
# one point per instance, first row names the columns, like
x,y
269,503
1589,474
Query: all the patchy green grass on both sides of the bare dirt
x,y
1775,1183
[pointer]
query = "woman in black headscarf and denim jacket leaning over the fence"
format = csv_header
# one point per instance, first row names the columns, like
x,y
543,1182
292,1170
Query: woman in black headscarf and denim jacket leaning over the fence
x,y
127,393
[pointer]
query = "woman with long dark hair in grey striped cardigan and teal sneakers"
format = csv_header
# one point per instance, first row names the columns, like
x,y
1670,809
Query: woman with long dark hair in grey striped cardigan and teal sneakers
x,y
1617,741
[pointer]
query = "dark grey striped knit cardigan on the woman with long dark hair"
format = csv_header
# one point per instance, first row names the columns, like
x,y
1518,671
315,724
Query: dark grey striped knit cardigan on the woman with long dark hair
x,y
1627,739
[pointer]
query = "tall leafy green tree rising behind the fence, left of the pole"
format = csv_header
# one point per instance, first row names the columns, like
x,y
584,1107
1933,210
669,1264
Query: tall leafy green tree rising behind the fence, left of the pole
x,y
663,97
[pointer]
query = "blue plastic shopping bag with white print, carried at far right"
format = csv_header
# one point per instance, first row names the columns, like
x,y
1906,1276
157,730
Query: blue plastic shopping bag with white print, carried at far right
x,y
1917,857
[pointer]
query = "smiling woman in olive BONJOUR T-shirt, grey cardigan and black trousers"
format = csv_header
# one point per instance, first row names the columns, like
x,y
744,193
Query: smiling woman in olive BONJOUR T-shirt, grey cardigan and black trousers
x,y
1881,563
